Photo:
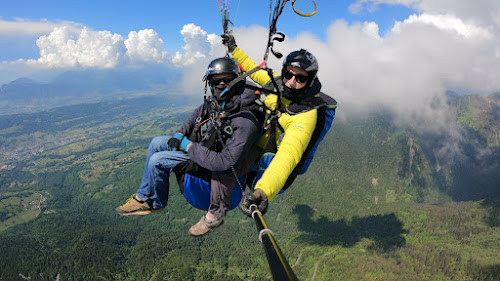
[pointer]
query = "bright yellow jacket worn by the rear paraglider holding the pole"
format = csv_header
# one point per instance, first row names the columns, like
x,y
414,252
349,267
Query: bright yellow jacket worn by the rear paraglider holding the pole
x,y
298,129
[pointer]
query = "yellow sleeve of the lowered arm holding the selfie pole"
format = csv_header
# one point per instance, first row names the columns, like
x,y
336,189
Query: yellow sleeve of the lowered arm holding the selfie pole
x,y
298,132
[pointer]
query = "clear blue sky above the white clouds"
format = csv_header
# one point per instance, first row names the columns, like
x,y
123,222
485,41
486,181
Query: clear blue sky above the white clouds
x,y
168,17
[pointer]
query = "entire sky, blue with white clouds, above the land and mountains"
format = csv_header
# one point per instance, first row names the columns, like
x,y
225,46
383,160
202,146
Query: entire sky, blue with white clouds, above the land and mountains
x,y
402,55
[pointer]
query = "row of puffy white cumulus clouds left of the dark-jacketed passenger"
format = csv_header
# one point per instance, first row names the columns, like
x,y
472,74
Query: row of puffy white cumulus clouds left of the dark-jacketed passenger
x,y
66,47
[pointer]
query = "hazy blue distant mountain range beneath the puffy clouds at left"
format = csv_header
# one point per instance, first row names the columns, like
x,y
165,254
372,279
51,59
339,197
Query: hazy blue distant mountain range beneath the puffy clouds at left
x,y
27,95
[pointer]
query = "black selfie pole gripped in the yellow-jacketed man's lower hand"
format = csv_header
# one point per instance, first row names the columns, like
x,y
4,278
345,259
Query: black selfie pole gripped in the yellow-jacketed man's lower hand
x,y
278,264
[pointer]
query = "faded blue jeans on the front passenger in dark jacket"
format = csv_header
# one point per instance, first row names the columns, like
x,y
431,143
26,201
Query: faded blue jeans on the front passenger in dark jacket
x,y
160,162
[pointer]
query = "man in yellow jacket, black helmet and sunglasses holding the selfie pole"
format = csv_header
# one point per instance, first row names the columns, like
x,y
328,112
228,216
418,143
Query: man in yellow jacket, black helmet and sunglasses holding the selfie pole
x,y
298,118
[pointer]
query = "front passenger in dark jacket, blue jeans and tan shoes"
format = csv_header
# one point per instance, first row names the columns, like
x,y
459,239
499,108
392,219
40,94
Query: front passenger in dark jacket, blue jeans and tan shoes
x,y
212,142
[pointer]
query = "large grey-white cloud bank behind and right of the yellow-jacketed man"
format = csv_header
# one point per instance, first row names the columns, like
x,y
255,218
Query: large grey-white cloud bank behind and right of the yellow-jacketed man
x,y
407,71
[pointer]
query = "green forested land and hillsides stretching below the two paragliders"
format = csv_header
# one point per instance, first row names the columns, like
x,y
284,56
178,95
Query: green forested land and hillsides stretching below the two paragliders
x,y
378,202
